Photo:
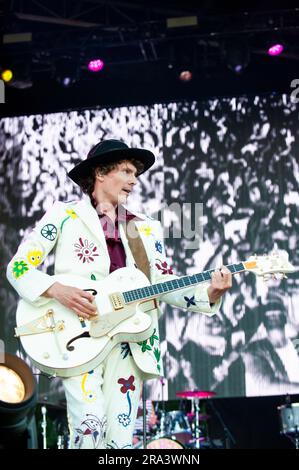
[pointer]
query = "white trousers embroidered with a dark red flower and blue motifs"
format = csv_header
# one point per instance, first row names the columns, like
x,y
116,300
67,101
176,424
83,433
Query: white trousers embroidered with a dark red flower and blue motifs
x,y
102,404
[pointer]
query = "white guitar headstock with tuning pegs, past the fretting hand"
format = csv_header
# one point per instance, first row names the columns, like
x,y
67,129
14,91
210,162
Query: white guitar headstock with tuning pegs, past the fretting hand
x,y
275,263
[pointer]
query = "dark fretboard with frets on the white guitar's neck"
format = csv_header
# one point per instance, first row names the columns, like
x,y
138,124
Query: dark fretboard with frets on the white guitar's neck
x,y
155,290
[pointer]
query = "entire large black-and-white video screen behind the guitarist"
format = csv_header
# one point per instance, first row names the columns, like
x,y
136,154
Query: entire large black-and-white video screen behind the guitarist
x,y
236,159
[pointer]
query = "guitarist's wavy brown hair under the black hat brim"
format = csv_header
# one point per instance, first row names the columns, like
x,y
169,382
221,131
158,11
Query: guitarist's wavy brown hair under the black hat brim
x,y
87,183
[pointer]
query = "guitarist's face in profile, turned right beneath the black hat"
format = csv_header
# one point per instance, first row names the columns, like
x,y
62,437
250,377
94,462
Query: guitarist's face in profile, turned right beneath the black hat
x,y
115,187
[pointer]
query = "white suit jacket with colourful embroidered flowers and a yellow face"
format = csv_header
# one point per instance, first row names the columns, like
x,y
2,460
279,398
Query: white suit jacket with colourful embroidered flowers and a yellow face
x,y
74,231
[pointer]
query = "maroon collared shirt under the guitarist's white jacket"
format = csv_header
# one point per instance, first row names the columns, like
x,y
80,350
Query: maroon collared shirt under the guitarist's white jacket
x,y
114,244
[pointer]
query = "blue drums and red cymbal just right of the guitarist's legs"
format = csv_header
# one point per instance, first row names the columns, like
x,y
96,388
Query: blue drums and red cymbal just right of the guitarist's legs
x,y
178,429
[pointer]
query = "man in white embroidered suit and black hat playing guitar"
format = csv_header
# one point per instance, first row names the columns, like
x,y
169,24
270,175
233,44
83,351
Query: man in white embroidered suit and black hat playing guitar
x,y
90,241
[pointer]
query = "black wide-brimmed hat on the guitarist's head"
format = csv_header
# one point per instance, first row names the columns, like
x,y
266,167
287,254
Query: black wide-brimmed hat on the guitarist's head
x,y
110,151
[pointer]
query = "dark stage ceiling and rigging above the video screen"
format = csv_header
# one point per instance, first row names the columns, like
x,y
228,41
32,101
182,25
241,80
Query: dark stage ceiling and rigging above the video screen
x,y
143,57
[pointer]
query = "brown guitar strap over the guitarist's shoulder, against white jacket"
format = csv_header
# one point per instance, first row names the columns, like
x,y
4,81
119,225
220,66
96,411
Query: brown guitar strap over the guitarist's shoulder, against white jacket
x,y
137,248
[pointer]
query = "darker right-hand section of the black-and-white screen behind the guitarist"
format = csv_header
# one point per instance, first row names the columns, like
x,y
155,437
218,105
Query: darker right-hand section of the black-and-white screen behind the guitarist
x,y
238,157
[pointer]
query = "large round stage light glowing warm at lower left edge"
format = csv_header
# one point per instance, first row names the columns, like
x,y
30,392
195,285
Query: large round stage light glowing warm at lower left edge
x,y
17,401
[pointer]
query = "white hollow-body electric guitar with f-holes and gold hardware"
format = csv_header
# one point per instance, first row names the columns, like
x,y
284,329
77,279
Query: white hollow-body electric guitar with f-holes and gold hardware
x,y
61,344
